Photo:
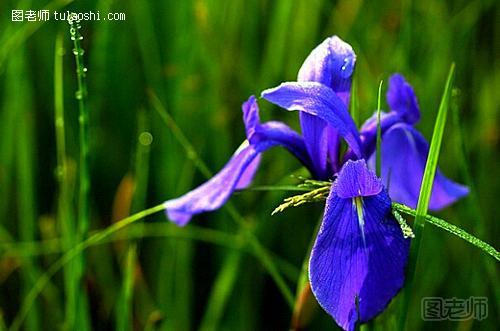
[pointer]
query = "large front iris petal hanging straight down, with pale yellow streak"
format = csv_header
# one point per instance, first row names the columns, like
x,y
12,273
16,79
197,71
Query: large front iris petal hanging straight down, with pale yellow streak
x,y
357,265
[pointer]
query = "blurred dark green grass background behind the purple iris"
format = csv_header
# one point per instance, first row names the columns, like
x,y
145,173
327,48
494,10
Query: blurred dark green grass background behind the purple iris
x,y
202,59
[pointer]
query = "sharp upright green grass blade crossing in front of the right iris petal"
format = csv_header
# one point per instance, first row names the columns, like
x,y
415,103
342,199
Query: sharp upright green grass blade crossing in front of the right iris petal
x,y
425,195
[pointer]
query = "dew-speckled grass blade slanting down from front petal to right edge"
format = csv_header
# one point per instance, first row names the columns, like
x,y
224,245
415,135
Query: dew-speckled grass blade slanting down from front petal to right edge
x,y
453,229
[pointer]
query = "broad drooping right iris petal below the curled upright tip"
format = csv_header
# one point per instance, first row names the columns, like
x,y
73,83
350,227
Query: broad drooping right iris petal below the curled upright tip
x,y
404,155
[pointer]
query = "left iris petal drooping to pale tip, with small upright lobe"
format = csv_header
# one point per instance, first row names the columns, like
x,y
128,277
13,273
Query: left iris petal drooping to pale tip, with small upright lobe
x,y
239,171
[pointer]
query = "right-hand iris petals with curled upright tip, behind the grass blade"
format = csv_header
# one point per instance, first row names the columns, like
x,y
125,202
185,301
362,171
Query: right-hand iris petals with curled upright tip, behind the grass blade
x,y
402,172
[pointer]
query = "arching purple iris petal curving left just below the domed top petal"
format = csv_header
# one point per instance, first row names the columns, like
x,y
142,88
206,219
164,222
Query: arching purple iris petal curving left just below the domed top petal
x,y
318,100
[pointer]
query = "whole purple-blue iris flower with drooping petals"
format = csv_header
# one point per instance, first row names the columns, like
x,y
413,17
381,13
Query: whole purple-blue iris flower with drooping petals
x,y
358,260
